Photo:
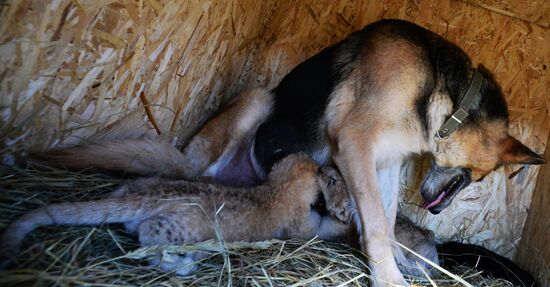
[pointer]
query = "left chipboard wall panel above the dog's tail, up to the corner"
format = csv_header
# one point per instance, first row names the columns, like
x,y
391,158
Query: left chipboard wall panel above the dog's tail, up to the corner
x,y
73,70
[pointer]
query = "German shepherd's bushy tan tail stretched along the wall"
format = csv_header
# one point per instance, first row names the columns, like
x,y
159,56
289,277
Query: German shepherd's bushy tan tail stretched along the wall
x,y
134,157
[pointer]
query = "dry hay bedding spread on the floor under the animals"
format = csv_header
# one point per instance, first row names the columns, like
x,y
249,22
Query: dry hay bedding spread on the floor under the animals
x,y
108,256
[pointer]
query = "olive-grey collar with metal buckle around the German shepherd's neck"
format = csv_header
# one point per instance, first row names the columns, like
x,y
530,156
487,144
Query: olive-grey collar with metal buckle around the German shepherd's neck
x,y
466,104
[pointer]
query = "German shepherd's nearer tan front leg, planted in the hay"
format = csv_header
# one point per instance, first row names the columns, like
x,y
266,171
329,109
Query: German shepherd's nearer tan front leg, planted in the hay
x,y
355,159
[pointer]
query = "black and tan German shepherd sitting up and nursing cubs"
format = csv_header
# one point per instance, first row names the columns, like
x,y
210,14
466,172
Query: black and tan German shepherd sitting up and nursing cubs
x,y
363,104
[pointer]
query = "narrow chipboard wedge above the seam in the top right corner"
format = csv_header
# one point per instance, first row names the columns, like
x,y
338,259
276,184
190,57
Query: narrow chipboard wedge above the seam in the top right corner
x,y
535,11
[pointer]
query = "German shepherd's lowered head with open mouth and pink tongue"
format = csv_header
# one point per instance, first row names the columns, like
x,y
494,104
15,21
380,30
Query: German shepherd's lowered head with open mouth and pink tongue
x,y
478,147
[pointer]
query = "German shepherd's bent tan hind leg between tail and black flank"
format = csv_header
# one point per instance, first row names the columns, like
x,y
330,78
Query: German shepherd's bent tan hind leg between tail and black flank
x,y
219,140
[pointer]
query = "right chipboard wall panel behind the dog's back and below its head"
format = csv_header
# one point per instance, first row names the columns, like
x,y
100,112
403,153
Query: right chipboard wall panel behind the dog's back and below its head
x,y
493,212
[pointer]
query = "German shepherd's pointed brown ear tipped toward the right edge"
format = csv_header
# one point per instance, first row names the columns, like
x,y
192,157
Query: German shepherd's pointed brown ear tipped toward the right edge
x,y
513,151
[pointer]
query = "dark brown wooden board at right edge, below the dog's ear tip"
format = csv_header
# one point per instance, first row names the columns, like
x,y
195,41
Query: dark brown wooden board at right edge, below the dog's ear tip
x,y
534,250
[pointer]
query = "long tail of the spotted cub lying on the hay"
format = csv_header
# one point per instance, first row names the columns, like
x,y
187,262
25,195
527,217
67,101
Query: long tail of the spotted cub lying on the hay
x,y
112,210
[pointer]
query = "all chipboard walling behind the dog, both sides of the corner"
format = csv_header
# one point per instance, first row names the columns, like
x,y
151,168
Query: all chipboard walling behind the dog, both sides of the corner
x,y
74,70
